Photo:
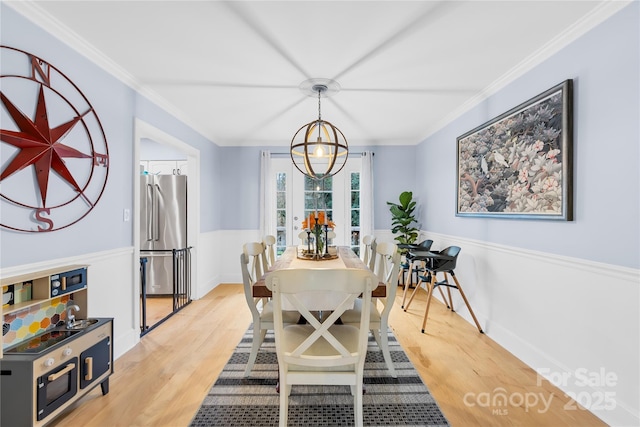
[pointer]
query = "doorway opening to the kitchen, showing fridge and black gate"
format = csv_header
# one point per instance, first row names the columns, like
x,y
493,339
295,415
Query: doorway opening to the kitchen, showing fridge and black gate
x,y
164,165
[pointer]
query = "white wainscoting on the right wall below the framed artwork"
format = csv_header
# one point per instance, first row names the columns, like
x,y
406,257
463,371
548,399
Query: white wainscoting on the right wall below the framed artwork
x,y
567,318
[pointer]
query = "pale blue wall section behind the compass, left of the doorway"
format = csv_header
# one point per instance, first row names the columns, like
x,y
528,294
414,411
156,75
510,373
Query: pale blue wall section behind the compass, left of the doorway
x,y
103,228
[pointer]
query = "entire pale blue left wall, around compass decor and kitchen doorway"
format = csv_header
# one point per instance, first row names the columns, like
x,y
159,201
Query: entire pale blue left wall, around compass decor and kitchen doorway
x,y
116,105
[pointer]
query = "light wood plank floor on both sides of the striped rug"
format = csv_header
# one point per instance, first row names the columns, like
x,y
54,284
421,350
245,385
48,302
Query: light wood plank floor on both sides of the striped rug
x,y
162,381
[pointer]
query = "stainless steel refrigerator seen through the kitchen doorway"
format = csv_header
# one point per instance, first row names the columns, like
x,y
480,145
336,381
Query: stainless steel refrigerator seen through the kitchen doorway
x,y
163,227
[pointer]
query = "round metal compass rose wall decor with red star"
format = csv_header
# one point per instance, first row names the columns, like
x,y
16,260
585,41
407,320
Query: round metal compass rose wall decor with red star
x,y
54,154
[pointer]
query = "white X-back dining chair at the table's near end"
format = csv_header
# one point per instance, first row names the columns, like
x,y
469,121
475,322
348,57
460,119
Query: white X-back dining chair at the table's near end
x,y
321,352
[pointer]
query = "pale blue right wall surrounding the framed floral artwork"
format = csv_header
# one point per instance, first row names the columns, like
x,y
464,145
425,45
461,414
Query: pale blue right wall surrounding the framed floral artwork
x,y
604,65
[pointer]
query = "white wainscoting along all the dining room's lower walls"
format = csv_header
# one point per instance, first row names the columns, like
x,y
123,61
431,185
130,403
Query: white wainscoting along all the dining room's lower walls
x,y
562,316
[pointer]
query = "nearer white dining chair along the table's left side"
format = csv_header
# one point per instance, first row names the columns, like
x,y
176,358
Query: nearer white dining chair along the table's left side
x,y
261,308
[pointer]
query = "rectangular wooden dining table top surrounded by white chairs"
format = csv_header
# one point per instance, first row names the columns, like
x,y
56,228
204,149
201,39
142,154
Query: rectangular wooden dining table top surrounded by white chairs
x,y
346,258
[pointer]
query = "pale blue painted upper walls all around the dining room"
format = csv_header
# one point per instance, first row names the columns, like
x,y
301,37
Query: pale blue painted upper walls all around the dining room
x,y
605,69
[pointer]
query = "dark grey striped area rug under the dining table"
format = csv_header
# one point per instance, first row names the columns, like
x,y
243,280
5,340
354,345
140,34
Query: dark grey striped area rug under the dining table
x,y
237,401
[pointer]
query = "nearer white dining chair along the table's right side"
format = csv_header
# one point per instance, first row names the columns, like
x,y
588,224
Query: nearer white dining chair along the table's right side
x,y
387,264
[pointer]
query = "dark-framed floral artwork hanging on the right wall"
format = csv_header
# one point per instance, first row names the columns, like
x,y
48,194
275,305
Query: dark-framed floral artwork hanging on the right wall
x,y
519,165
